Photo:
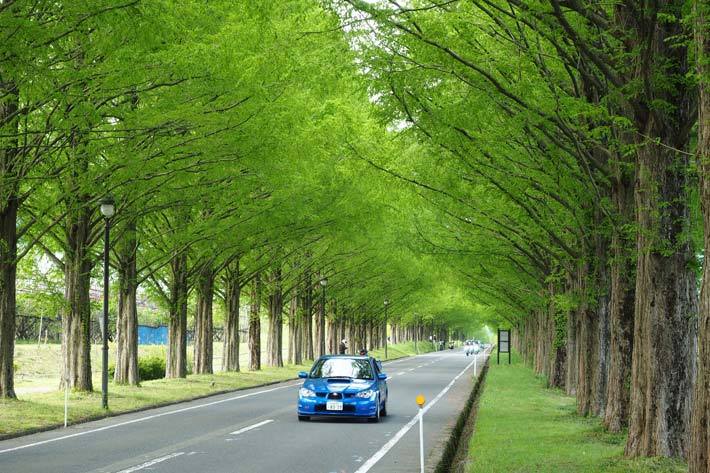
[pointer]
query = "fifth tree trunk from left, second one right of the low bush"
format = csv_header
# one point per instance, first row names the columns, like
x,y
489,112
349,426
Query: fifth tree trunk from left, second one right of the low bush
x,y
204,332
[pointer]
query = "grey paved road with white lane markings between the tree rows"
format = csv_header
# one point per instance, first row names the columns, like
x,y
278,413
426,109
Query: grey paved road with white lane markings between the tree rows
x,y
257,431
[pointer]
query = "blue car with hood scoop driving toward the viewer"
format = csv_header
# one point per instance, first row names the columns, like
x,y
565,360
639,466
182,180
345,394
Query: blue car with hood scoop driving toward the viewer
x,y
343,386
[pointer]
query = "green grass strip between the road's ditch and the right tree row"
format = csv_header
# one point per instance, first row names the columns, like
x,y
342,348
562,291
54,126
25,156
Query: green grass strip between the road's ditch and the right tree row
x,y
523,427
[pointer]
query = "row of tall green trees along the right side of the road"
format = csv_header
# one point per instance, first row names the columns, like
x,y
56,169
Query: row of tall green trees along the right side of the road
x,y
563,147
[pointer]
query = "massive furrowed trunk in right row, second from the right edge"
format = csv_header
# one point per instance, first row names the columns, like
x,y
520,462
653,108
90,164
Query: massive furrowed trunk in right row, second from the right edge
x,y
663,359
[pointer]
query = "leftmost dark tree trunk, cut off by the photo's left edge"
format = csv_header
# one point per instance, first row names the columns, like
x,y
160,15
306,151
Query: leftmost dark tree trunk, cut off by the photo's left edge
x,y
8,236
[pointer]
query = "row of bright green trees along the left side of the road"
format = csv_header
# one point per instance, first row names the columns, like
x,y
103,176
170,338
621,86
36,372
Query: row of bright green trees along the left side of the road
x,y
228,134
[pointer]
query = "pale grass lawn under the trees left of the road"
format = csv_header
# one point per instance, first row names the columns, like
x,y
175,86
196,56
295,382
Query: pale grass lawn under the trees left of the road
x,y
38,367
